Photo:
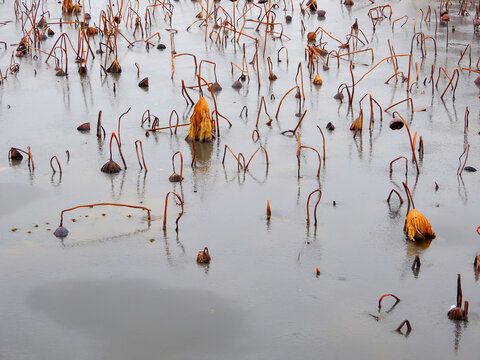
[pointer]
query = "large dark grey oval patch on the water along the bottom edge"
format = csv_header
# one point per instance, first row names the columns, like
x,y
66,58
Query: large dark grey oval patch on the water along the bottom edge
x,y
138,319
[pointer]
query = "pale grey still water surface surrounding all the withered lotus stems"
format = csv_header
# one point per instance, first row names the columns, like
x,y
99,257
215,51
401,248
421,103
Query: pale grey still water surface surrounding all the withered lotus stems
x,y
120,288
